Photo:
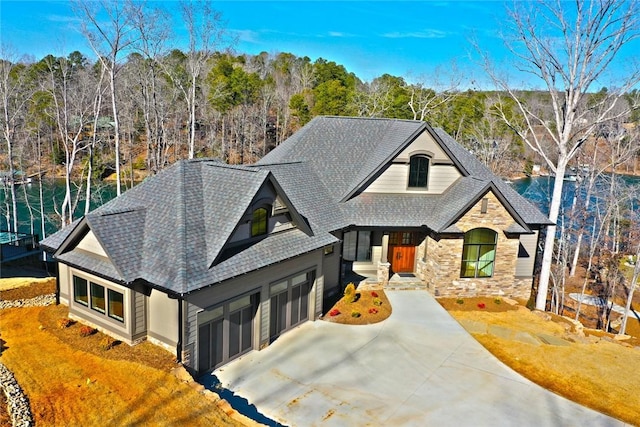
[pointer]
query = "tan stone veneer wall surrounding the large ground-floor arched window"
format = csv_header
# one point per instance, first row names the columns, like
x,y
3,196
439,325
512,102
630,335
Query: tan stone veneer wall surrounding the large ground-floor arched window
x,y
441,268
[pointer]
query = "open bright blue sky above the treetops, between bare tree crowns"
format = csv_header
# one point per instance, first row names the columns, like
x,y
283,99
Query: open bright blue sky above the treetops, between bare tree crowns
x,y
413,39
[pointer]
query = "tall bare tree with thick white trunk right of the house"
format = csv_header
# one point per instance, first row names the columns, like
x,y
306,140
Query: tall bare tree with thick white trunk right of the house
x,y
570,48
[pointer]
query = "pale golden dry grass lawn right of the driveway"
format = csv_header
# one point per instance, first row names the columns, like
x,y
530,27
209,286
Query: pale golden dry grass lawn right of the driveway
x,y
595,371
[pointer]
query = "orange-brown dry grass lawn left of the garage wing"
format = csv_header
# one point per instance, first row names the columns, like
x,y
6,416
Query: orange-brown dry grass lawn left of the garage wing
x,y
71,380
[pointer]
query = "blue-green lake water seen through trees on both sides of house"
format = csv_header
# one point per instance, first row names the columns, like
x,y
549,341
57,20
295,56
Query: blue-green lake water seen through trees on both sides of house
x,y
536,189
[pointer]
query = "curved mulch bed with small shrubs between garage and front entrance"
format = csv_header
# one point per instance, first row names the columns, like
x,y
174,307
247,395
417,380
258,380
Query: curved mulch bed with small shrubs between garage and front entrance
x,y
371,306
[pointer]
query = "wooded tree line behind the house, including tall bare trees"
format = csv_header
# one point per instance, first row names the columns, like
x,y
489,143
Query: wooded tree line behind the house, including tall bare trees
x,y
144,104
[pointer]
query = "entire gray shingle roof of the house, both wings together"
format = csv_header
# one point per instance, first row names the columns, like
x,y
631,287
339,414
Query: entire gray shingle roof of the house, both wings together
x,y
171,229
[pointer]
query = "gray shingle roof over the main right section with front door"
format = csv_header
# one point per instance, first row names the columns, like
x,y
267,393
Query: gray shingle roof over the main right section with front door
x,y
343,153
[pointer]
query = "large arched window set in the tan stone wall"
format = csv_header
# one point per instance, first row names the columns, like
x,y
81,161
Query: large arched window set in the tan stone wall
x,y
478,253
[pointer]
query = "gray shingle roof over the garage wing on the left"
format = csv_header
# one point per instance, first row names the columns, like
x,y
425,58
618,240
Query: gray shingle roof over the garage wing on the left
x,y
171,228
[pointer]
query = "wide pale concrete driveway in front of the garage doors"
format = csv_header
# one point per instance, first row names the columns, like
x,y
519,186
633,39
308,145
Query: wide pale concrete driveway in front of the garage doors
x,y
419,367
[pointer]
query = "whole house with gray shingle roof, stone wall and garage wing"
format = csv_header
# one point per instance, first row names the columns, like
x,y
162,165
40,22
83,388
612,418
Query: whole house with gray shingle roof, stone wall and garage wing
x,y
213,261
